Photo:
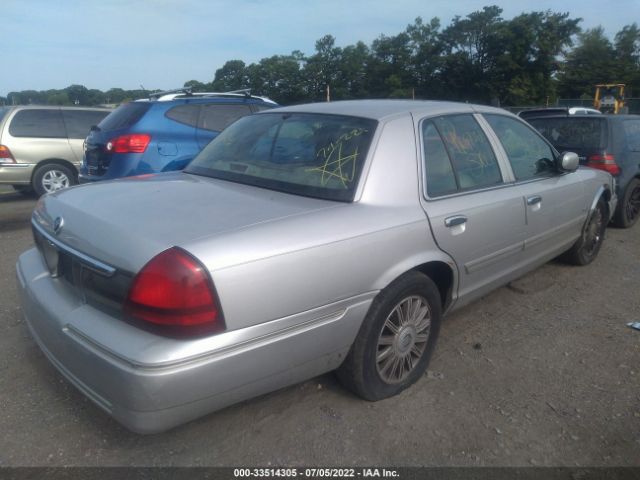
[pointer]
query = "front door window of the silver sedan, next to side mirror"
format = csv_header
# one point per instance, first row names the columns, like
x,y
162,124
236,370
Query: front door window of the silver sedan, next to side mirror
x,y
530,155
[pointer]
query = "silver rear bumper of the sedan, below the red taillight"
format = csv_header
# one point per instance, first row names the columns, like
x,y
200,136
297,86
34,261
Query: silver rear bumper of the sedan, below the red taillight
x,y
183,379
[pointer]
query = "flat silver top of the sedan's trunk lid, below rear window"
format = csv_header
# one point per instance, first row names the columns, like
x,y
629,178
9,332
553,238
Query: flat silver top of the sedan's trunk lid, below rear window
x,y
126,222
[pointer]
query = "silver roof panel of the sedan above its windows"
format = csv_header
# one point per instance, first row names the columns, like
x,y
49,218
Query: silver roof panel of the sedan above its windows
x,y
383,109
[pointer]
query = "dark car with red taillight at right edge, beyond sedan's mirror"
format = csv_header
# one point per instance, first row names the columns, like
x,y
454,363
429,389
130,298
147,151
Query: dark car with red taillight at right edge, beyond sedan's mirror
x,y
606,142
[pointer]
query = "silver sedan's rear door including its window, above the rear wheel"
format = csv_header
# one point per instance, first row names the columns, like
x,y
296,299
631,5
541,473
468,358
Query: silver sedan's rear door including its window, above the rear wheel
x,y
475,215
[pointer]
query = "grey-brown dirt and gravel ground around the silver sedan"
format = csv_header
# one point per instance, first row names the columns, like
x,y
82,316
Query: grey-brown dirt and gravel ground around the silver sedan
x,y
541,372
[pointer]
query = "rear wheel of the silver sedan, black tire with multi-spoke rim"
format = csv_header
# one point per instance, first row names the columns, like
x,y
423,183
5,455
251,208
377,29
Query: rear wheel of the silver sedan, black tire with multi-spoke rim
x,y
361,371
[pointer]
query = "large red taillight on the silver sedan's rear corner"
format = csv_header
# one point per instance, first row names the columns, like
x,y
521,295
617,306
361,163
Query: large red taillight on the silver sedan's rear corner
x,y
174,290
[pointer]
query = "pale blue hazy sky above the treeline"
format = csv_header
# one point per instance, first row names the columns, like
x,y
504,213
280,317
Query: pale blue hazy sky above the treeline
x,y
163,43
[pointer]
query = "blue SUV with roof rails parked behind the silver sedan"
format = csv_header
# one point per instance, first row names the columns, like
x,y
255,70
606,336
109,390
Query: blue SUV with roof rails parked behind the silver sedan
x,y
162,133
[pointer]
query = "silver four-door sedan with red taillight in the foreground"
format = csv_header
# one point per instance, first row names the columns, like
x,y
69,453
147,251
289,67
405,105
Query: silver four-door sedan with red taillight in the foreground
x,y
301,240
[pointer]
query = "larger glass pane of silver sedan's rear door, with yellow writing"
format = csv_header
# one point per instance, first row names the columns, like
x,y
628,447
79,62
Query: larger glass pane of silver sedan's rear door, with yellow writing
x,y
472,158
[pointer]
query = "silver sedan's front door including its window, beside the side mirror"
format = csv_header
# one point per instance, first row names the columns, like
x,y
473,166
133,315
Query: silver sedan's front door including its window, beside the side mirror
x,y
554,201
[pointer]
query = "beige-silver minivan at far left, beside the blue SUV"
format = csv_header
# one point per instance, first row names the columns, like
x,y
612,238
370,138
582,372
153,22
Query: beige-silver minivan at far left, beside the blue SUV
x,y
41,147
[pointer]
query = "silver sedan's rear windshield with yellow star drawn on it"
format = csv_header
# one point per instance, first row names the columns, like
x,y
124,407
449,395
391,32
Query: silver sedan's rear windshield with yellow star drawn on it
x,y
301,153
